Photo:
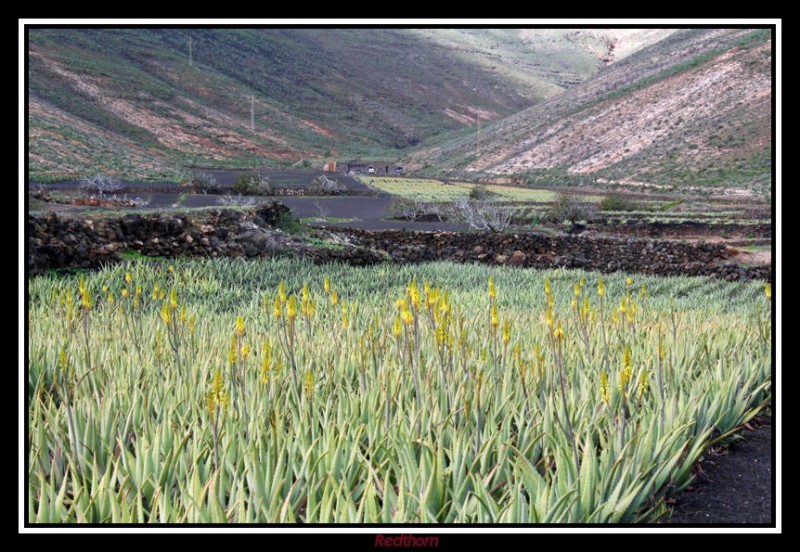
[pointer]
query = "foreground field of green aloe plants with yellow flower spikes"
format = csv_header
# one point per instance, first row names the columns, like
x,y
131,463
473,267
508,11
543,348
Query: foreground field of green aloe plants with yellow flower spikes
x,y
274,391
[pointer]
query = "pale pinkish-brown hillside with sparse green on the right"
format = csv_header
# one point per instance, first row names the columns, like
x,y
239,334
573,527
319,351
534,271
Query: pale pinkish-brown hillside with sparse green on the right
x,y
693,109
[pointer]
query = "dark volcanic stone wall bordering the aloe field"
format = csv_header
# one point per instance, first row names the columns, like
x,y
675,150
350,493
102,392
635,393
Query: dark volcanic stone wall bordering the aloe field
x,y
56,241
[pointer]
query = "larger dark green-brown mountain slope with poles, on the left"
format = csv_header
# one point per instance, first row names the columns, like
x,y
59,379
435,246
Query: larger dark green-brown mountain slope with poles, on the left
x,y
128,101
